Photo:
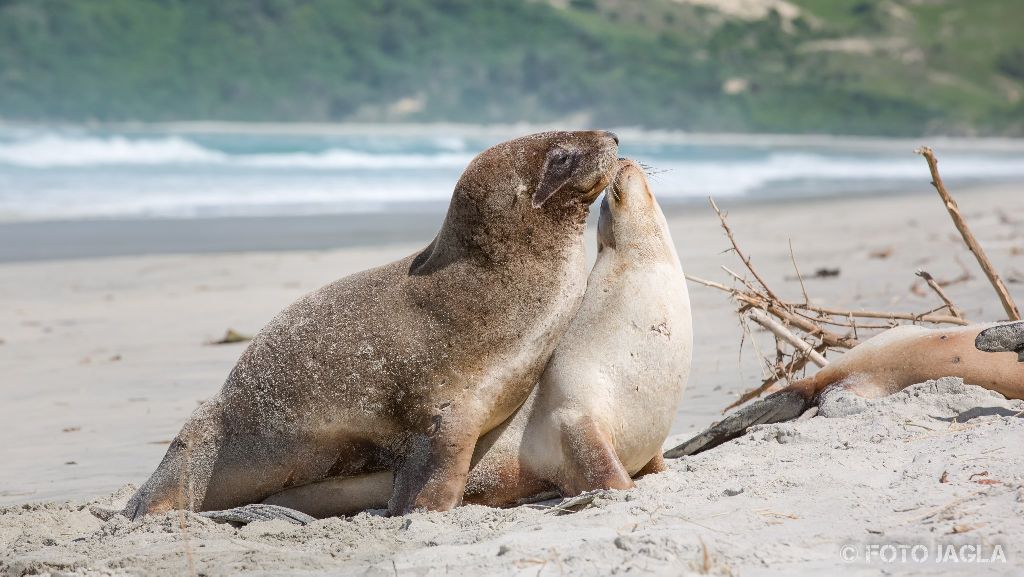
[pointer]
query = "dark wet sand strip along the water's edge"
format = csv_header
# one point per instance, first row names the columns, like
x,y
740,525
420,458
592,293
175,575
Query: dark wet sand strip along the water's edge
x,y
411,225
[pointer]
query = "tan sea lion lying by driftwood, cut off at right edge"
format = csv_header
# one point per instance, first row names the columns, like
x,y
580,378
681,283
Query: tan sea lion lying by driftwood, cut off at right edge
x,y
983,355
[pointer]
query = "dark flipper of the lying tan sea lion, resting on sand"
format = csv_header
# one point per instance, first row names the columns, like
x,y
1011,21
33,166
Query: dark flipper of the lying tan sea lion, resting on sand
x,y
779,407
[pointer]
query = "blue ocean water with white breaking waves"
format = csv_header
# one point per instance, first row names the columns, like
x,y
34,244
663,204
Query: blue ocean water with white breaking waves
x,y
68,175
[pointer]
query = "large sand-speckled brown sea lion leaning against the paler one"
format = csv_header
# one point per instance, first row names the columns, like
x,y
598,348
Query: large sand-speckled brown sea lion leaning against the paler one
x,y
405,366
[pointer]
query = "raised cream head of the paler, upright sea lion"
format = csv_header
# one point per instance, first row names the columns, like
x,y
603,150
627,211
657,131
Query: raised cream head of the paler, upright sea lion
x,y
631,218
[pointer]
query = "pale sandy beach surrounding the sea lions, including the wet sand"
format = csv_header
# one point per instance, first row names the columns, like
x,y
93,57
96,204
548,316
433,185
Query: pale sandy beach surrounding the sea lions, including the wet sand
x,y
105,353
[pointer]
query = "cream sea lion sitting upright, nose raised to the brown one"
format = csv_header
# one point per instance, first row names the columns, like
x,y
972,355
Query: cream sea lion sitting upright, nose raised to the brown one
x,y
609,396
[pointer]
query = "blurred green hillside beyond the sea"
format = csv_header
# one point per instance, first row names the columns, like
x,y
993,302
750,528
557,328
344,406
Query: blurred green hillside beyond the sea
x,y
857,67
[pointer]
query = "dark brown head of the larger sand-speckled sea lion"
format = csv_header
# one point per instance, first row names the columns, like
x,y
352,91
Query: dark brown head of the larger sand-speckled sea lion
x,y
534,191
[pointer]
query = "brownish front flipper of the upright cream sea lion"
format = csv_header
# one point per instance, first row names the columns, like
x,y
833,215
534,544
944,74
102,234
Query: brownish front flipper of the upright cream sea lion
x,y
591,462
